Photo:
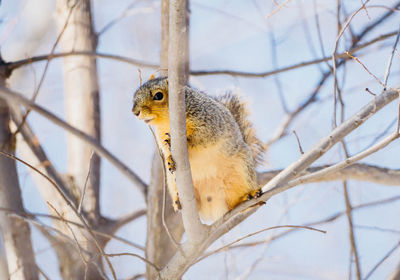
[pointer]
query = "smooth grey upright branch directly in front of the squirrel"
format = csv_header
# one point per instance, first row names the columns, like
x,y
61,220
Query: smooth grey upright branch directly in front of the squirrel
x,y
178,30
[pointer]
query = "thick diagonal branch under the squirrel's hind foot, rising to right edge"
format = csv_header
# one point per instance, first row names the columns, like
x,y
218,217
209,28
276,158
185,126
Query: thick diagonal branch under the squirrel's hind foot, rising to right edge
x,y
180,263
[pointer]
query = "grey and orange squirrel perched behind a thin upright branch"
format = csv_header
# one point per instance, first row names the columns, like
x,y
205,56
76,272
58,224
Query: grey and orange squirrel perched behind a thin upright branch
x,y
223,149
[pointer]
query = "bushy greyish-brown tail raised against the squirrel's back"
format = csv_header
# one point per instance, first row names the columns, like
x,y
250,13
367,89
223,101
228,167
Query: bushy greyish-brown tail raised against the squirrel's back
x,y
241,115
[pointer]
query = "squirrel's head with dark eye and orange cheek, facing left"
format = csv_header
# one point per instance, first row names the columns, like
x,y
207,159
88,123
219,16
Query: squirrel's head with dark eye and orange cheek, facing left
x,y
150,102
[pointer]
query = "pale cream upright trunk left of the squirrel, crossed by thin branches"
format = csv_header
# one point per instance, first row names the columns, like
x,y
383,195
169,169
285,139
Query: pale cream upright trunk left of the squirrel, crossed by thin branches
x,y
81,91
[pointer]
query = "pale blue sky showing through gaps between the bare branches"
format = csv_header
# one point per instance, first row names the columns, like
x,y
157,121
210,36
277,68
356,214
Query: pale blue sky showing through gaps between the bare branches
x,y
227,35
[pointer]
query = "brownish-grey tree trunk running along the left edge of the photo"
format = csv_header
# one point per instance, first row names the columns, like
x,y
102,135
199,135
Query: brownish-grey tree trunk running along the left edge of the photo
x,y
16,233
